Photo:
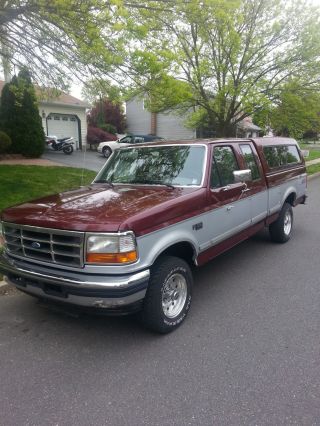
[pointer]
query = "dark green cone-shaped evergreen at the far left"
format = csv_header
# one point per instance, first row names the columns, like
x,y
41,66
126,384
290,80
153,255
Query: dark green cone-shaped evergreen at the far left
x,y
19,116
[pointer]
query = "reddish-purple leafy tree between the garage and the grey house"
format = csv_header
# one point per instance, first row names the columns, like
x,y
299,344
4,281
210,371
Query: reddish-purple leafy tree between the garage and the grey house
x,y
105,114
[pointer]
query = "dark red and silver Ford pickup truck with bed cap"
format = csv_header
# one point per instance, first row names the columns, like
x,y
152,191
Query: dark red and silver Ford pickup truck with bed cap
x,y
126,242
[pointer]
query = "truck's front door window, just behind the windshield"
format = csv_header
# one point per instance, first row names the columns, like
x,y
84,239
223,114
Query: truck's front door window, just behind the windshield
x,y
223,164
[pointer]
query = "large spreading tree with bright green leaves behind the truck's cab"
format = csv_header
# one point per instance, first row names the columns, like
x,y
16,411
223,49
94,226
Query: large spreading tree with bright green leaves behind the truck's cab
x,y
225,58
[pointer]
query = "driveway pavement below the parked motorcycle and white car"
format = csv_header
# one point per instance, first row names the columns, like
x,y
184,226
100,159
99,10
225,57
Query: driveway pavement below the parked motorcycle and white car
x,y
91,160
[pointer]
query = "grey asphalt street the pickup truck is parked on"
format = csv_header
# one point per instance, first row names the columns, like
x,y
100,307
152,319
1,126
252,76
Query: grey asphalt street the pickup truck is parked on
x,y
248,353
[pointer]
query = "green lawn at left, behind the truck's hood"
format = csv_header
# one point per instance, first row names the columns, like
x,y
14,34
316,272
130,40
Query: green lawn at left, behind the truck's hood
x,y
23,183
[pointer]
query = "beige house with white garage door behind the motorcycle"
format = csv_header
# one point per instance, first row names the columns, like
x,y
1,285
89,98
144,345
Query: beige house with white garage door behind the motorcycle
x,y
62,116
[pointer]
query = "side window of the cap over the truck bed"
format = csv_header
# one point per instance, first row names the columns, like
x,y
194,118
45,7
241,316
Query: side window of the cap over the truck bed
x,y
282,155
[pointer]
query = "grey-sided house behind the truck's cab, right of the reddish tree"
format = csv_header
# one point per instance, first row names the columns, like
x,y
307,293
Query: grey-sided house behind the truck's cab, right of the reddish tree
x,y
143,122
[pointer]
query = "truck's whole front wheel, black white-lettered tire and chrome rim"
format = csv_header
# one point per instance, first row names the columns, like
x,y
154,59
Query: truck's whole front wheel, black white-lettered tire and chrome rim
x,y
169,294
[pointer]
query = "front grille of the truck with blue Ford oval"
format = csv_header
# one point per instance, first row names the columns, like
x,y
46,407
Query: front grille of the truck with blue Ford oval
x,y
44,244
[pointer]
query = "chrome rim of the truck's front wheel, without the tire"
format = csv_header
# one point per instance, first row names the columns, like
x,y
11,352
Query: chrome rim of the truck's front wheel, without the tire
x,y
174,295
